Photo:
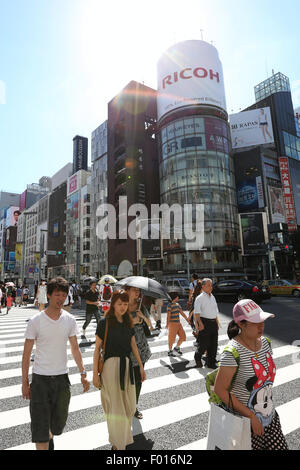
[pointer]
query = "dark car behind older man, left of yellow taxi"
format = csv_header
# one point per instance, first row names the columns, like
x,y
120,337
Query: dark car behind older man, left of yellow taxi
x,y
239,289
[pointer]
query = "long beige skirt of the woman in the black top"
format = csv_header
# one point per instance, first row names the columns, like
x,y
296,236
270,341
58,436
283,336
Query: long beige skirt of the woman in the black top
x,y
119,405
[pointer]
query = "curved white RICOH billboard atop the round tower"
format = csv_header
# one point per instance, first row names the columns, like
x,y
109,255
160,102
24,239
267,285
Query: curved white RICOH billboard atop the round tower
x,y
189,73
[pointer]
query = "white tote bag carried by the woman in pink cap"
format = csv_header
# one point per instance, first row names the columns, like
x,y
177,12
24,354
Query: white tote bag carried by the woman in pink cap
x,y
228,431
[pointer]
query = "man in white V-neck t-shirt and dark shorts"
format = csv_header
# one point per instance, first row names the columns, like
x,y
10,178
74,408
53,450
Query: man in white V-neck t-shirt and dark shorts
x,y
49,391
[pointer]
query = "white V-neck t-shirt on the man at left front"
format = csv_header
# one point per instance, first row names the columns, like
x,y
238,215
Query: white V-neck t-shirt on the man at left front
x,y
51,338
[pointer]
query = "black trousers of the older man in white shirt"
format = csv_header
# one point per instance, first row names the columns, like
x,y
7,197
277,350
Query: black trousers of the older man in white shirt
x,y
207,341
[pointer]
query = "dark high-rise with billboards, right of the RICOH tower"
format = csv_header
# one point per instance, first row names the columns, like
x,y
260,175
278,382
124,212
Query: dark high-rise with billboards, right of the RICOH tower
x,y
268,175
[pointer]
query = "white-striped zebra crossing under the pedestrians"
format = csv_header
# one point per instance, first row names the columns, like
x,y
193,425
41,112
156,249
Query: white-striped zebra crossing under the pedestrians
x,y
173,399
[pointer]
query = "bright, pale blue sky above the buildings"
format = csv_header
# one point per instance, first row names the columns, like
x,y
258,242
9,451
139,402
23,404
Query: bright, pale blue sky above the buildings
x,y
63,60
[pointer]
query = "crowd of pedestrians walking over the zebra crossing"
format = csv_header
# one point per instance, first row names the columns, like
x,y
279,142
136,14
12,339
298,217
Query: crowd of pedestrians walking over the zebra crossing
x,y
122,349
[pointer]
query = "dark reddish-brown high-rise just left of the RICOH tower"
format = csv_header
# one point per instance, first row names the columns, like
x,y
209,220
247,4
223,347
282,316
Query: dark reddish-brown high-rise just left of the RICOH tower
x,y
132,167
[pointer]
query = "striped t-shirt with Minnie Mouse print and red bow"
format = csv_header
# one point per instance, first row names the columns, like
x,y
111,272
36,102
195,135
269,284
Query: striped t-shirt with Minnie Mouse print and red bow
x,y
253,383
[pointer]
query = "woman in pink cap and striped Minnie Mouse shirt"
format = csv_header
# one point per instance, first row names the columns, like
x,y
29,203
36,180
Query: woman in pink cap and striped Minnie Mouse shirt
x,y
247,387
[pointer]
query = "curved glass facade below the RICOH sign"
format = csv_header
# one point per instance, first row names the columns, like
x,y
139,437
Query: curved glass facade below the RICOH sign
x,y
196,167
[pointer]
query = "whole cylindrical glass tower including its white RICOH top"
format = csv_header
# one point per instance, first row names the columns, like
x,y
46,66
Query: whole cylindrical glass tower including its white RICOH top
x,y
194,152
